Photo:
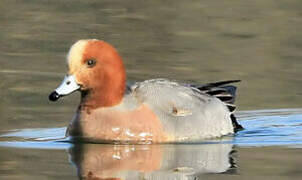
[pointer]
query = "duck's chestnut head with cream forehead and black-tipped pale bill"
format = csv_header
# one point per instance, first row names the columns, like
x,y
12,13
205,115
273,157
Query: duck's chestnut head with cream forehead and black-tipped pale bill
x,y
97,70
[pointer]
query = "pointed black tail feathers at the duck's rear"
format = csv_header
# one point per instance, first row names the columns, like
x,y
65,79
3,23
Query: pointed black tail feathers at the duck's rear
x,y
226,93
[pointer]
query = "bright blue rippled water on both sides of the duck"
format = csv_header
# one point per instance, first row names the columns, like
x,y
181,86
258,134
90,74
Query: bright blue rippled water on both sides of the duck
x,y
281,127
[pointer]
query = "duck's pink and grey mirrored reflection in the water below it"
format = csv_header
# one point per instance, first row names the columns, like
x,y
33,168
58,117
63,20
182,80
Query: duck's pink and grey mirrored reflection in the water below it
x,y
95,161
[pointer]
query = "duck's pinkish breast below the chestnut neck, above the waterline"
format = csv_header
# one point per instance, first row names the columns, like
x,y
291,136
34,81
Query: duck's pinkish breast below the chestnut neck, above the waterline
x,y
140,125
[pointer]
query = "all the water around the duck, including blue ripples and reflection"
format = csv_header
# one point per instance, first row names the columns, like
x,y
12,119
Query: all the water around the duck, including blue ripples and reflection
x,y
190,41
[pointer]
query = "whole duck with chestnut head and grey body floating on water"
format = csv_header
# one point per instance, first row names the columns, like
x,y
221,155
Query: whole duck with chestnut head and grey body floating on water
x,y
151,111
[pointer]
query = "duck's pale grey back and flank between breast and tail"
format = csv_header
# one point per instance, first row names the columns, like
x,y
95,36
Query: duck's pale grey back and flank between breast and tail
x,y
187,113
